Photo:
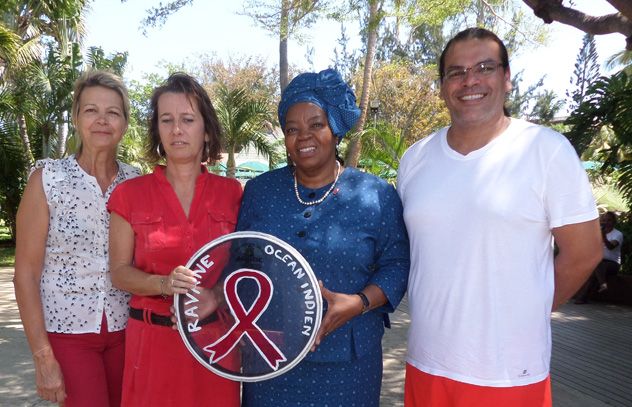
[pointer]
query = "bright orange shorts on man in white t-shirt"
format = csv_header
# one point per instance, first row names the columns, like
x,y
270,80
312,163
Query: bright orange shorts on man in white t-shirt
x,y
425,390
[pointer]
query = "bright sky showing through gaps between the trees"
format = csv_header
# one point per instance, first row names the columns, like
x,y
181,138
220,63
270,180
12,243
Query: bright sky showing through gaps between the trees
x,y
215,28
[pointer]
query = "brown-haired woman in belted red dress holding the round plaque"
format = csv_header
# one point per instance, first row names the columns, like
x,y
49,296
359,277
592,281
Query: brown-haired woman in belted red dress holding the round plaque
x,y
158,222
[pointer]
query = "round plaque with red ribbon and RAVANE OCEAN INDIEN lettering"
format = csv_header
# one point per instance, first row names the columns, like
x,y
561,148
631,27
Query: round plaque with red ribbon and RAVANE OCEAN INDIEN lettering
x,y
255,310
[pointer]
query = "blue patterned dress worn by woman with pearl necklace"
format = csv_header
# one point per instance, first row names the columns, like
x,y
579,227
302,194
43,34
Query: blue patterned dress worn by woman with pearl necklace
x,y
355,237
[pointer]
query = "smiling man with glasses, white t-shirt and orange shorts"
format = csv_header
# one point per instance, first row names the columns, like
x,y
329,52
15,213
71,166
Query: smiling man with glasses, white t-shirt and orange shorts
x,y
483,200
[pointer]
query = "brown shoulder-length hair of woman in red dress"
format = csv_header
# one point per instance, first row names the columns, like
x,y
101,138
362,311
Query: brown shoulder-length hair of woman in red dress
x,y
183,83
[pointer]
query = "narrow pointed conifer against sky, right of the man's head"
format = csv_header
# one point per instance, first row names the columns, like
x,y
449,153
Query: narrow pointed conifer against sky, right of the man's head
x,y
585,73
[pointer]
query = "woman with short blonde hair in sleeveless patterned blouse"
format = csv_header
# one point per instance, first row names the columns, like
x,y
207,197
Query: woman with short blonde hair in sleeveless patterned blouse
x,y
74,319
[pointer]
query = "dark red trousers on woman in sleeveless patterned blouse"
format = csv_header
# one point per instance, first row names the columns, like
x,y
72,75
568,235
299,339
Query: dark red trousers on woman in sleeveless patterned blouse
x,y
92,365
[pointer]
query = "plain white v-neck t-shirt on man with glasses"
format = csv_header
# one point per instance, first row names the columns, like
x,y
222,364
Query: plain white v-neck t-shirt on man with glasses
x,y
481,280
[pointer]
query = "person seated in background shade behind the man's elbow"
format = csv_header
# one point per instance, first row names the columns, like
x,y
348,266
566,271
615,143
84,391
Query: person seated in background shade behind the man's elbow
x,y
611,262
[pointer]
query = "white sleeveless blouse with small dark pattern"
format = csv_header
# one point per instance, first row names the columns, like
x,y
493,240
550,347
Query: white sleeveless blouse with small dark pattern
x,y
75,285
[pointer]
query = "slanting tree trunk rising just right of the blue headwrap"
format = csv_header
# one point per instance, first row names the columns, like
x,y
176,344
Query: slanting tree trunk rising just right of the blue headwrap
x,y
355,147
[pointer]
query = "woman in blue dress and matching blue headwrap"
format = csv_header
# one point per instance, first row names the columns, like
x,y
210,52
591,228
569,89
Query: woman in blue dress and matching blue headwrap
x,y
349,227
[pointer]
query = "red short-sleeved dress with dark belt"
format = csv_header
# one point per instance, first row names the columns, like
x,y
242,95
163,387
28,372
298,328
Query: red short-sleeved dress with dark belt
x,y
159,370
